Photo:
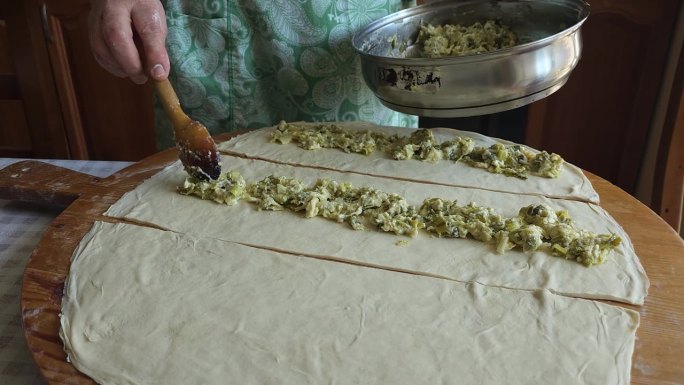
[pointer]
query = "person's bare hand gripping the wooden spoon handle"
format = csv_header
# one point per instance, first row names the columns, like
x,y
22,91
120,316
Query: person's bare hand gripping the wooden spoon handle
x,y
112,27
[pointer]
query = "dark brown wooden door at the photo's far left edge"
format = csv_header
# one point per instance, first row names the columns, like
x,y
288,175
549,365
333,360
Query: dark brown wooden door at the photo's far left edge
x,y
32,124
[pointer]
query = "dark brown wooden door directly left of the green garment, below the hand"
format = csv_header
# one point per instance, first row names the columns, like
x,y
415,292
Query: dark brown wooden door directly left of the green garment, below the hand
x,y
105,117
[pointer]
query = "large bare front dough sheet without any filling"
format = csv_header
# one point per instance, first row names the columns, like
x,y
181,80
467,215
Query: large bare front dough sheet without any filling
x,y
144,306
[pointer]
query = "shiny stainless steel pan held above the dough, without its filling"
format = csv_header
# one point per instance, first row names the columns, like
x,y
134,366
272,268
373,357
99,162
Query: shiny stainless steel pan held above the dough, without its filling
x,y
550,47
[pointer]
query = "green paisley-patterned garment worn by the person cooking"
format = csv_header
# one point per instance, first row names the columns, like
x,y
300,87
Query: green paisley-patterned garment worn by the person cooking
x,y
251,63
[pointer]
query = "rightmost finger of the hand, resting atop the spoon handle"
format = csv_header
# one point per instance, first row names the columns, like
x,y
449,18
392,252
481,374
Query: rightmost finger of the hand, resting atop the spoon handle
x,y
150,23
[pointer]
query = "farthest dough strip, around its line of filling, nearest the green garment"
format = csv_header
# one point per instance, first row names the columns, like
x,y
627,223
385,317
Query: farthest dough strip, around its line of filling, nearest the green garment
x,y
571,184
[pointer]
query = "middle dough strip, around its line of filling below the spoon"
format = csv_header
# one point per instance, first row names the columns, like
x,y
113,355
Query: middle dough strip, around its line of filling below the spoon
x,y
620,278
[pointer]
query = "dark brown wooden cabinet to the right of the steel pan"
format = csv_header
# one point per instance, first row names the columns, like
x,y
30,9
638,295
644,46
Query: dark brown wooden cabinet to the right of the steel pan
x,y
600,120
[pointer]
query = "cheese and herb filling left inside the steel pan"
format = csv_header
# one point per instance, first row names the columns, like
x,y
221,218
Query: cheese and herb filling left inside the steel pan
x,y
457,40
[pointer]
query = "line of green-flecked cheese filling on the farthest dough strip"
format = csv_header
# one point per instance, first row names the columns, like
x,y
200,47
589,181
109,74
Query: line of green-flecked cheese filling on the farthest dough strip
x,y
513,160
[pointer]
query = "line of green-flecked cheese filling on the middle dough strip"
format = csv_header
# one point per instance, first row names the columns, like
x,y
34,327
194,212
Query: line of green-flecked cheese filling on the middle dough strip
x,y
536,227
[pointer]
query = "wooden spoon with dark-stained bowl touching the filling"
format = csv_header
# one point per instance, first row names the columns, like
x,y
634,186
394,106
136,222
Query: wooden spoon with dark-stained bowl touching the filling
x,y
196,149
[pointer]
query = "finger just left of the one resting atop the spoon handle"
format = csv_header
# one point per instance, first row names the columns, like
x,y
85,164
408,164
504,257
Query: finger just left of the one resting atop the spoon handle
x,y
117,33
